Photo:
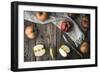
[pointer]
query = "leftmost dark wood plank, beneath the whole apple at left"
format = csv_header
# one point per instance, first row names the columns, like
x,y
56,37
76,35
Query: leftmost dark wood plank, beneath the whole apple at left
x,y
28,47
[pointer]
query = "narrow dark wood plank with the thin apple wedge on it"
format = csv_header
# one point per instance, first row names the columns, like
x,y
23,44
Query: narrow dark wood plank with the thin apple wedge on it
x,y
53,45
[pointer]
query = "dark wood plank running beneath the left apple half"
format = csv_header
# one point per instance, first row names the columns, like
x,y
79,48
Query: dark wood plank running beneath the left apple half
x,y
42,39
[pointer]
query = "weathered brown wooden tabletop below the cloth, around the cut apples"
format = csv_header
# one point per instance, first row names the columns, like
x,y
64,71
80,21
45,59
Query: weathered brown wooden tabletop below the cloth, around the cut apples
x,y
51,37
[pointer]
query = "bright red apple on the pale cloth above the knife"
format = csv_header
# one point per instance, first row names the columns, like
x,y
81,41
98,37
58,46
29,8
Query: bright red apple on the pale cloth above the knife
x,y
65,26
